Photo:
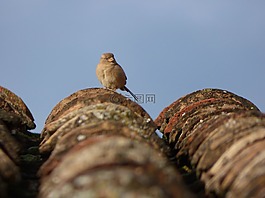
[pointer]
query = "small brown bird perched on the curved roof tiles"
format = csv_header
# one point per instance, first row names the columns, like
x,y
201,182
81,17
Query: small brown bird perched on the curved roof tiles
x,y
111,75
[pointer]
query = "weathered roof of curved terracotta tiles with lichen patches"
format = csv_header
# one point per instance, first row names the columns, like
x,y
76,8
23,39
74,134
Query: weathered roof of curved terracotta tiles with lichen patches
x,y
98,143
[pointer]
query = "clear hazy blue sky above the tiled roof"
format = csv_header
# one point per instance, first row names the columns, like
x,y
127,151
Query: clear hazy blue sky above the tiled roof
x,y
49,49
